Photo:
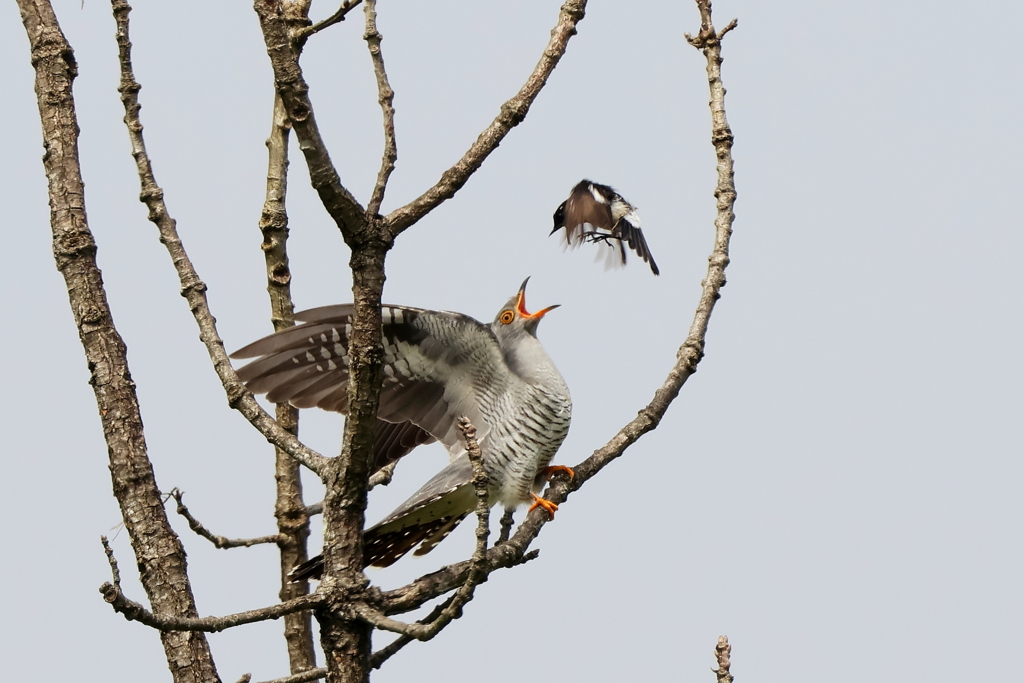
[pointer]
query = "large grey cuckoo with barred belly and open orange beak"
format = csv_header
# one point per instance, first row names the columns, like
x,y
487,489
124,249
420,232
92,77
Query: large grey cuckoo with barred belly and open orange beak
x,y
439,366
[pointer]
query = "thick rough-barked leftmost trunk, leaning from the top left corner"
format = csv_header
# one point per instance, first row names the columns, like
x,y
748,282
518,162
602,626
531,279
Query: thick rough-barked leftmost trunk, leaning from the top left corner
x,y
158,550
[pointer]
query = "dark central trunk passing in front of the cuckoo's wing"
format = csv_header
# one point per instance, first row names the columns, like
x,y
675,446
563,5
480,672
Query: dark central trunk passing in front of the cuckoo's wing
x,y
346,478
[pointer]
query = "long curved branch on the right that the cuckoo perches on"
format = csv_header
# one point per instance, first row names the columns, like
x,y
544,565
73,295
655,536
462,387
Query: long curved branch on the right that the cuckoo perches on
x,y
688,358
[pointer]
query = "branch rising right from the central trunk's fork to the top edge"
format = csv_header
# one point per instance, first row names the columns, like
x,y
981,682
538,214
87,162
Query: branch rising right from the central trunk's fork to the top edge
x,y
513,114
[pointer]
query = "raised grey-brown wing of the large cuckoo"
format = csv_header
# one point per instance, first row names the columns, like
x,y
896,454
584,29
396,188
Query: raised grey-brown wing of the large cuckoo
x,y
438,366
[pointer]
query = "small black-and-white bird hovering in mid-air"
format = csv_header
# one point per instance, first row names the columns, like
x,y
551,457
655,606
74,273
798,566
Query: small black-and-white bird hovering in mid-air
x,y
612,219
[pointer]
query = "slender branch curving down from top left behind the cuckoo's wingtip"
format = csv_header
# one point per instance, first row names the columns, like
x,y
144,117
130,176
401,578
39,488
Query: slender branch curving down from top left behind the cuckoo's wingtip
x,y
193,289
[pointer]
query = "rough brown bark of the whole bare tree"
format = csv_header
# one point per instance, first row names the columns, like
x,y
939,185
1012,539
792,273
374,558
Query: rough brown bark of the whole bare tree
x,y
347,608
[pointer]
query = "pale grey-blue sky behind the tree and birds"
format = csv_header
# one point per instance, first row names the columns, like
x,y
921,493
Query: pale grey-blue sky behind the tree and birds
x,y
838,489
